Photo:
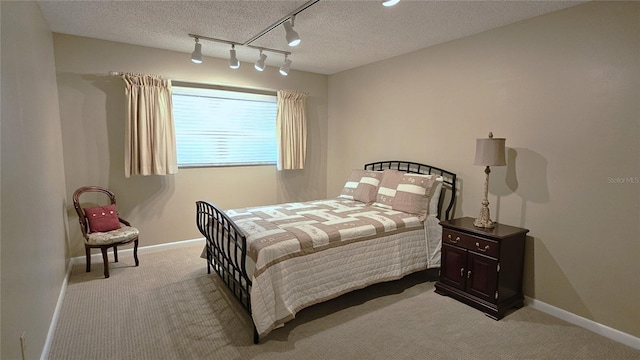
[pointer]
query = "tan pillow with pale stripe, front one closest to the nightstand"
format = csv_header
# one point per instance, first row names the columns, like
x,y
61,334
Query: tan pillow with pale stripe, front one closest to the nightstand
x,y
413,194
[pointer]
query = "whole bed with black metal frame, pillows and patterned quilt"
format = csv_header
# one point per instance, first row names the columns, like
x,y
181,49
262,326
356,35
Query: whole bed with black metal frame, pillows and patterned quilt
x,y
277,260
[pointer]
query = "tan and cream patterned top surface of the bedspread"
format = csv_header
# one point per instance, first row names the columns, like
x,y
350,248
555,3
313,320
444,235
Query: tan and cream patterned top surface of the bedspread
x,y
280,232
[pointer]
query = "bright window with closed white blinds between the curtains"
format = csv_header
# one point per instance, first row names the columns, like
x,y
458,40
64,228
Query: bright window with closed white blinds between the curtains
x,y
220,127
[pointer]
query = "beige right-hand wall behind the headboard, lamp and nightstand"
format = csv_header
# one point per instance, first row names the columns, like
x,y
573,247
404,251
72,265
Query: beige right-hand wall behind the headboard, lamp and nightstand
x,y
563,88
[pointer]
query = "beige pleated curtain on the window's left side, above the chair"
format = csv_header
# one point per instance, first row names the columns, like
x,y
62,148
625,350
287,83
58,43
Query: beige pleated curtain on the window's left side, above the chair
x,y
150,141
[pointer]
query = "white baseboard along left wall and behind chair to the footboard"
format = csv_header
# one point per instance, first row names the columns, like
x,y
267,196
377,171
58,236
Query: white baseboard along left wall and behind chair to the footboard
x,y
98,257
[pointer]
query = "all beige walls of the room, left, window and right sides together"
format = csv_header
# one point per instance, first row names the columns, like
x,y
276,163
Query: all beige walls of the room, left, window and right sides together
x,y
562,88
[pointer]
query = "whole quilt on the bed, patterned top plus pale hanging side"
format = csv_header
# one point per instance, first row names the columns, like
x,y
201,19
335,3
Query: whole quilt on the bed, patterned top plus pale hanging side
x,y
309,252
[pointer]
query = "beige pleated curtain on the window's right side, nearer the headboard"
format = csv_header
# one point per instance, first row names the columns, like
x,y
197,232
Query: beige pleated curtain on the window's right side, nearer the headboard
x,y
291,129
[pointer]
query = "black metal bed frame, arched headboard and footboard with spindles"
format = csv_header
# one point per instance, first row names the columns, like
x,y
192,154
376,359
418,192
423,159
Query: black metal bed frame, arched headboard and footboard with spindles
x,y
227,246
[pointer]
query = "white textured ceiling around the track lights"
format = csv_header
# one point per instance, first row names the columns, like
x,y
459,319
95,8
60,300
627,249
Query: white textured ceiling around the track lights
x,y
336,35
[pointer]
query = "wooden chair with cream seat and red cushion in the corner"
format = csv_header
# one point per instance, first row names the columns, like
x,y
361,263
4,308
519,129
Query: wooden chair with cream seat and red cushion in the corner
x,y
110,236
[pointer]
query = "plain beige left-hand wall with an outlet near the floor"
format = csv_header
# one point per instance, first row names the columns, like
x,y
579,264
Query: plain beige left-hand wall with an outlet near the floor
x,y
33,184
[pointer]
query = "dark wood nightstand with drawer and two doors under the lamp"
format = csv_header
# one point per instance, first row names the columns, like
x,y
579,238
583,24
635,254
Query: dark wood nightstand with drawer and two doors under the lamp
x,y
482,267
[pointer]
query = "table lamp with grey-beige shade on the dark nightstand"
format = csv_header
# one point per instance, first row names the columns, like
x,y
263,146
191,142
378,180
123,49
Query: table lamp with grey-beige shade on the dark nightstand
x,y
489,152
